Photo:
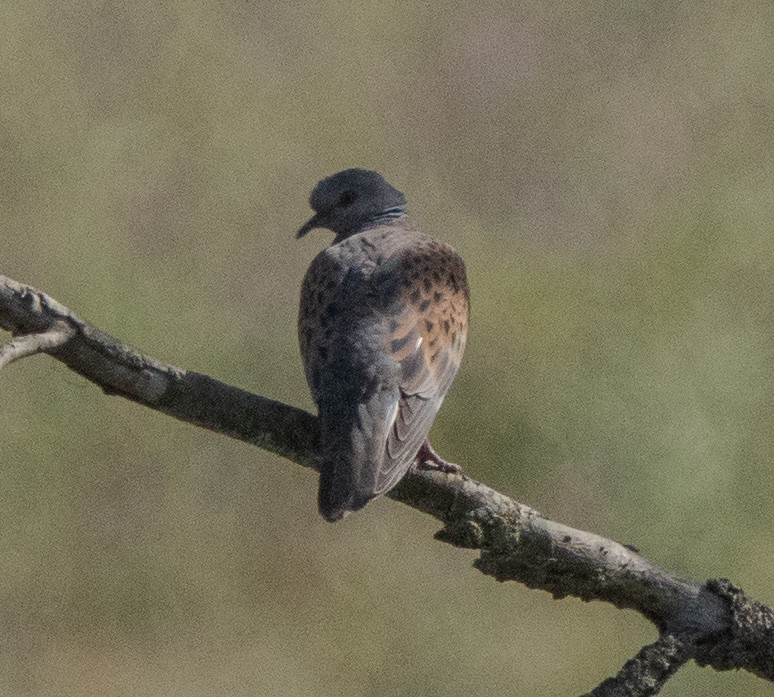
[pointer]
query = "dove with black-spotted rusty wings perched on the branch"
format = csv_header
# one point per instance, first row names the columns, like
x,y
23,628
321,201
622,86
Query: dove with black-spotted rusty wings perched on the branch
x,y
382,325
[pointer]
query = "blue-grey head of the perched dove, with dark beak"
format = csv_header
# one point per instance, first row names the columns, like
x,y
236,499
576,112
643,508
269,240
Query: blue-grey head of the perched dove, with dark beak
x,y
349,201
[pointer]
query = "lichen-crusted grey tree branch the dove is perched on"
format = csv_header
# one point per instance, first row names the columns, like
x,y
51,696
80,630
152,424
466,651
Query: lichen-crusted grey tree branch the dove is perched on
x,y
714,622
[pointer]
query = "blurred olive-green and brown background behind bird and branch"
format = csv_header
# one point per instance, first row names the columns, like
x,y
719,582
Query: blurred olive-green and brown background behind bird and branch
x,y
605,168
